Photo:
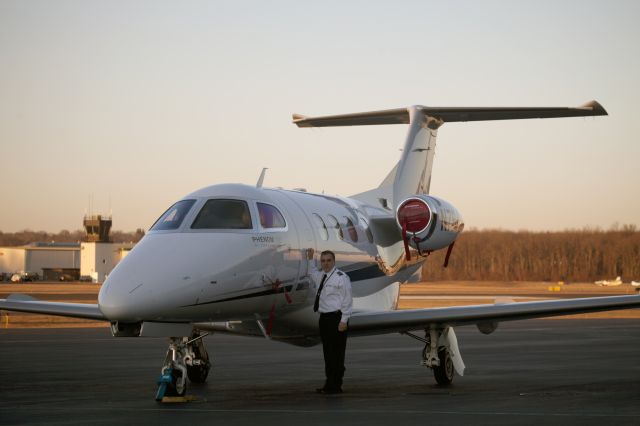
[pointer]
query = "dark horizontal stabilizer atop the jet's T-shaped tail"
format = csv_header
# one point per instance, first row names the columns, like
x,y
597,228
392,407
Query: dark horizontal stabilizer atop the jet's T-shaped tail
x,y
448,115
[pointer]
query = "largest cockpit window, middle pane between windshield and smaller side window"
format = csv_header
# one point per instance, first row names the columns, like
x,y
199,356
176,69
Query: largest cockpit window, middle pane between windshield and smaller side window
x,y
223,214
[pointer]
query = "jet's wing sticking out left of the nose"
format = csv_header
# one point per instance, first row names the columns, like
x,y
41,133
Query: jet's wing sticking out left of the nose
x,y
22,303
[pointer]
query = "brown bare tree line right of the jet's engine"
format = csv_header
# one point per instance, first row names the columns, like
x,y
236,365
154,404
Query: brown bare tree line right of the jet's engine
x,y
573,256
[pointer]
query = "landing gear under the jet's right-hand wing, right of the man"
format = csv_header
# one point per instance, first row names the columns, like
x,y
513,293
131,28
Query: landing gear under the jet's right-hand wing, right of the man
x,y
441,354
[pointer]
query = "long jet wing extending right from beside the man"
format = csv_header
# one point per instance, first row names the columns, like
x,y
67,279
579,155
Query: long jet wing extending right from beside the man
x,y
364,323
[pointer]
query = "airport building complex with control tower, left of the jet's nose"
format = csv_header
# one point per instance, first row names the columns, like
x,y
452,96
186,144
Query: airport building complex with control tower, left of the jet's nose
x,y
90,260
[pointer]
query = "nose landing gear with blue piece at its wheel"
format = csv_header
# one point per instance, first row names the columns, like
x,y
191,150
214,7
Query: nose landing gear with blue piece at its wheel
x,y
186,357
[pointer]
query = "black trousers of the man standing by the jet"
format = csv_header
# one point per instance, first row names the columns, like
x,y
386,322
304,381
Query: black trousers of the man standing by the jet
x,y
334,344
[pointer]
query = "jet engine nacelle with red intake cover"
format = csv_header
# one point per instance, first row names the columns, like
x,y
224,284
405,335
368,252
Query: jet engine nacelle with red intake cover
x,y
428,223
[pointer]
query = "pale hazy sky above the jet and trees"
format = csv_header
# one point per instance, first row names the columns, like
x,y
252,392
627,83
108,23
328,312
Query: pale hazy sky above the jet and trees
x,y
137,103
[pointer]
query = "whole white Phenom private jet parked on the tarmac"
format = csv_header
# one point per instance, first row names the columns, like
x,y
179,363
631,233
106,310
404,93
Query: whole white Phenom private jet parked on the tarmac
x,y
233,258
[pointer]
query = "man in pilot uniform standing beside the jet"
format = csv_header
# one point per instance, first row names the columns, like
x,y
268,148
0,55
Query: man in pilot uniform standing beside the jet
x,y
334,304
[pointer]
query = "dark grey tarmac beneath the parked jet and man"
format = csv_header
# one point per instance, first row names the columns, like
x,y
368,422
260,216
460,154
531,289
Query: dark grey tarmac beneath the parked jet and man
x,y
565,372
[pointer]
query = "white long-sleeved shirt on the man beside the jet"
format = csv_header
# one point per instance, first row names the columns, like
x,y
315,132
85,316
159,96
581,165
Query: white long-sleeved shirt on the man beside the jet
x,y
336,293
